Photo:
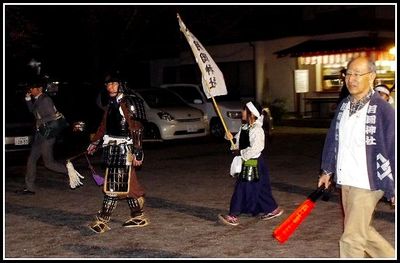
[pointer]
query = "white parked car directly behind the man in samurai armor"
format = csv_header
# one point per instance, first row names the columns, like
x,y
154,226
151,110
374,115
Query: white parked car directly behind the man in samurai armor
x,y
169,117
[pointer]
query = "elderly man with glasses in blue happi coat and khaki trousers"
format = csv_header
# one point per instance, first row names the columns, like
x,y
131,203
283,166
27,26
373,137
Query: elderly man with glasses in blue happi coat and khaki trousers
x,y
359,153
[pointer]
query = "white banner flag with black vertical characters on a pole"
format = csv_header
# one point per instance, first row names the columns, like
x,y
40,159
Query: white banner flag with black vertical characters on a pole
x,y
212,78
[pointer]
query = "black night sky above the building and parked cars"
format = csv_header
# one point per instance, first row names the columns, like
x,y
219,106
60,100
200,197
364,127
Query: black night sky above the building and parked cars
x,y
84,41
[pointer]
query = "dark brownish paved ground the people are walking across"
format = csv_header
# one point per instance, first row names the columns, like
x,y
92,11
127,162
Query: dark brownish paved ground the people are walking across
x,y
187,185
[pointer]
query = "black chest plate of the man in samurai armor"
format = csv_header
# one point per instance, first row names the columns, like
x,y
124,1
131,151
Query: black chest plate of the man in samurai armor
x,y
116,124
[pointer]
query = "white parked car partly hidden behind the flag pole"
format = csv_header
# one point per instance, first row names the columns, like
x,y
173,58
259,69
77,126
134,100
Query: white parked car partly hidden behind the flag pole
x,y
231,111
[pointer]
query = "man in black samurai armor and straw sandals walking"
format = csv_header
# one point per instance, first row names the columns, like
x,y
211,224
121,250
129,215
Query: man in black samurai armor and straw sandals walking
x,y
120,136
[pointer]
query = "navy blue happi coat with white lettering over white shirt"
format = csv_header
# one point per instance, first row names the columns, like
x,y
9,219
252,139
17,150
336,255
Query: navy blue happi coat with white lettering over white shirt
x,y
379,142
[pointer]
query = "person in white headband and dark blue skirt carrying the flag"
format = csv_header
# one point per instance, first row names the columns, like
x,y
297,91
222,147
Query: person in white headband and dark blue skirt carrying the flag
x,y
252,193
